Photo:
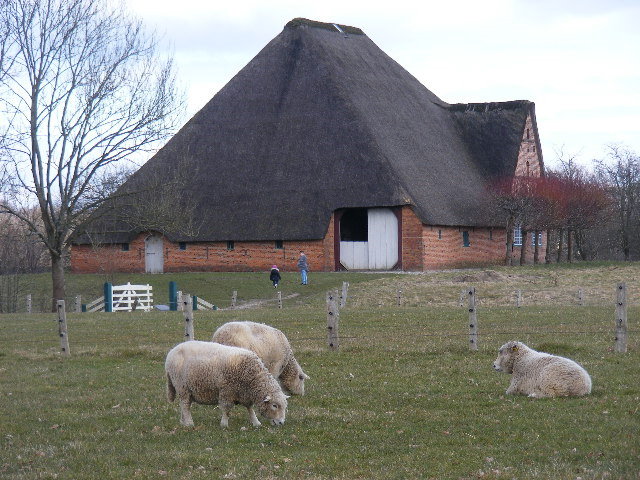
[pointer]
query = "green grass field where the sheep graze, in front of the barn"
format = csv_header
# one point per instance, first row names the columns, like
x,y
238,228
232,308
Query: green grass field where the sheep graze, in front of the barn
x,y
403,398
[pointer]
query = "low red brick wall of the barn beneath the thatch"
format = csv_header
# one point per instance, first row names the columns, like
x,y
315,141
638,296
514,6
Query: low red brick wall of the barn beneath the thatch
x,y
423,247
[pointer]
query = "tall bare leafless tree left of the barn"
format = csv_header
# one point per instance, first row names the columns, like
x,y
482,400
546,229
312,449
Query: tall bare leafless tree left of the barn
x,y
81,89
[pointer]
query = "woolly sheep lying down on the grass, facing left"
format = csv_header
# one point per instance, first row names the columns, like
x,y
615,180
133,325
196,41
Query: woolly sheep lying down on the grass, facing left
x,y
539,375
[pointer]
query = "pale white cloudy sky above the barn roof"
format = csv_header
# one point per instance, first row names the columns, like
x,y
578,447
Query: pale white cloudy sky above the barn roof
x,y
578,60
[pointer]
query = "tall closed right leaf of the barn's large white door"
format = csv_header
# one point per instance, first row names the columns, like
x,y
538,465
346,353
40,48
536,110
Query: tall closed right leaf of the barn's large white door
x,y
383,239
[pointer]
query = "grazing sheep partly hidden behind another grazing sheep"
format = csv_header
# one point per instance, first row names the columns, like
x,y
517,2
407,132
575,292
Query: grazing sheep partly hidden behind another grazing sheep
x,y
272,347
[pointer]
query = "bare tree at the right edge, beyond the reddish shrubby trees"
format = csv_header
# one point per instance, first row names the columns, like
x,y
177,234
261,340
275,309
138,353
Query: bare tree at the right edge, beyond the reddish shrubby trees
x,y
621,173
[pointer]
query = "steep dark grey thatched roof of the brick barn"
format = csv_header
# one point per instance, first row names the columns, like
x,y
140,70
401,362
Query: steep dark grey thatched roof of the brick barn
x,y
323,119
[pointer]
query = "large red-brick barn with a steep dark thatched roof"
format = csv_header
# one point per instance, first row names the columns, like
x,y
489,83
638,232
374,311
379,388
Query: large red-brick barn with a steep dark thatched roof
x,y
323,143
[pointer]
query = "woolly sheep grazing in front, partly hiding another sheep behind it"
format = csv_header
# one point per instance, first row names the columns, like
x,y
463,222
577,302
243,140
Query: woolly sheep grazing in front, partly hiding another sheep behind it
x,y
210,373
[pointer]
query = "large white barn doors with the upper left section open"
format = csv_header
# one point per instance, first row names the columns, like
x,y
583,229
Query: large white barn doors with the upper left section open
x,y
380,251
